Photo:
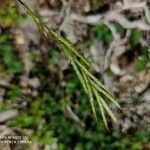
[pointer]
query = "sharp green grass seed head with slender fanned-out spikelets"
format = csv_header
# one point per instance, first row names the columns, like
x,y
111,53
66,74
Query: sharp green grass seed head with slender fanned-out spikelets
x,y
95,90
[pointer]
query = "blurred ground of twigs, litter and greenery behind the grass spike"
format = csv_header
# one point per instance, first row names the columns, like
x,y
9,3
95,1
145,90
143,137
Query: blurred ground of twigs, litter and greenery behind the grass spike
x,y
40,94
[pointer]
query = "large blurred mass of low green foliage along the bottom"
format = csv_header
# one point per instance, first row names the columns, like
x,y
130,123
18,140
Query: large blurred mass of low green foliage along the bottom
x,y
45,116
